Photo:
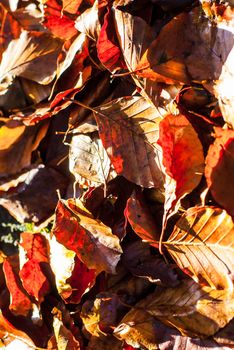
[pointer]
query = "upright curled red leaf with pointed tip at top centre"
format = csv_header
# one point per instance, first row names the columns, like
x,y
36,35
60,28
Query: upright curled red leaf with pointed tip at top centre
x,y
108,49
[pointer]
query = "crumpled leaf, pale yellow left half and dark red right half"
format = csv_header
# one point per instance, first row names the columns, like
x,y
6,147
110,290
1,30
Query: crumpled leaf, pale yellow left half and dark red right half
x,y
72,277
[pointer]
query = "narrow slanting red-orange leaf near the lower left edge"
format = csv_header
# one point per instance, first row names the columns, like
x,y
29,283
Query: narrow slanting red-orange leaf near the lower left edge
x,y
20,302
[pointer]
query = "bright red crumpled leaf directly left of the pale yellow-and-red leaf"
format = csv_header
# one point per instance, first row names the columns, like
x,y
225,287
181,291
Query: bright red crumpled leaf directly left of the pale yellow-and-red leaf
x,y
32,272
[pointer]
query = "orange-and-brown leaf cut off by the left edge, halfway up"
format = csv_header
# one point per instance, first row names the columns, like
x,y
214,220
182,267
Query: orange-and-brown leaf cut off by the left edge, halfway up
x,y
17,144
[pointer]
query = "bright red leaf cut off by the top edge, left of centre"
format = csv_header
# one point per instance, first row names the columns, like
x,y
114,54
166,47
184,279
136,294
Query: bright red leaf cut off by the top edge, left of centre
x,y
57,22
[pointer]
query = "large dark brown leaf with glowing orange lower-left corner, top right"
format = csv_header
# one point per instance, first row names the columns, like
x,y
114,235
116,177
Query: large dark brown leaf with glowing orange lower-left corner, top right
x,y
181,52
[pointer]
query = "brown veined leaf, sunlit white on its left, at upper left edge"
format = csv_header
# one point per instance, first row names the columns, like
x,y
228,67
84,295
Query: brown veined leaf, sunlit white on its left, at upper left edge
x,y
33,56
